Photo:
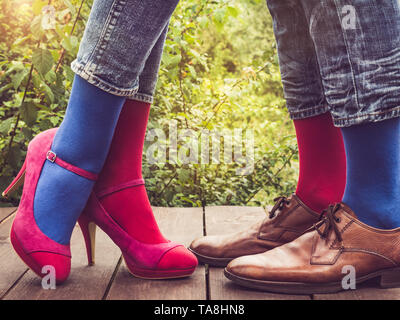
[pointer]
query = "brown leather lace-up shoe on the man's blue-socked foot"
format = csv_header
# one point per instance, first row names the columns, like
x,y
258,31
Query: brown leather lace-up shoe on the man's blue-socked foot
x,y
313,263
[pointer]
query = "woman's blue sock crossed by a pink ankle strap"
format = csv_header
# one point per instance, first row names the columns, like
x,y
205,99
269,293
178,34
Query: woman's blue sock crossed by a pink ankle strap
x,y
83,140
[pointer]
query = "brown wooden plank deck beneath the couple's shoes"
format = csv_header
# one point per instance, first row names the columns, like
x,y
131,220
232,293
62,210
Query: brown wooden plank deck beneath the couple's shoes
x,y
110,280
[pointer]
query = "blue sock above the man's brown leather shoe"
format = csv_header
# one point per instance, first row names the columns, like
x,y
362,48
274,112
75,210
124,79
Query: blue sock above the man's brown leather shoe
x,y
373,172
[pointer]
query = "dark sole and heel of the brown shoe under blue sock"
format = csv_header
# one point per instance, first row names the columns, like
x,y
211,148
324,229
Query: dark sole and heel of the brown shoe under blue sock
x,y
389,278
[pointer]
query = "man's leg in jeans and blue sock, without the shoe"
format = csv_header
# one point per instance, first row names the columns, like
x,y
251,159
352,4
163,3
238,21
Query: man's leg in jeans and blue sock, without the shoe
x,y
358,49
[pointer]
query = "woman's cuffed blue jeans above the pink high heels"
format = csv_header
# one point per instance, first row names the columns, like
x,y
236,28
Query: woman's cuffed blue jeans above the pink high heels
x,y
121,48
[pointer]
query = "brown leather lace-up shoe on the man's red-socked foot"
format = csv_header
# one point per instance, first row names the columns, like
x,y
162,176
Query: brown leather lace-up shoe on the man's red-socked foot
x,y
287,220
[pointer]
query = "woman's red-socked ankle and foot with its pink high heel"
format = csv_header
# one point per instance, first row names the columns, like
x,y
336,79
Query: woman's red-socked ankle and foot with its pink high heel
x,y
120,175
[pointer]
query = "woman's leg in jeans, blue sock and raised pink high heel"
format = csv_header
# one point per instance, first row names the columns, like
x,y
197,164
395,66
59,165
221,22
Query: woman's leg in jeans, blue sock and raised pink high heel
x,y
61,165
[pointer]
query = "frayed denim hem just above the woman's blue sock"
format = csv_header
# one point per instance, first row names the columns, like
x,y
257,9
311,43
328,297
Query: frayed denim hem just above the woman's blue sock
x,y
81,71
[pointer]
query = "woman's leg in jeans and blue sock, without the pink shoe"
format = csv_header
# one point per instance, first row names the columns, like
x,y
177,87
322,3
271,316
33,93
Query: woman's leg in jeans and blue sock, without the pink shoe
x,y
118,40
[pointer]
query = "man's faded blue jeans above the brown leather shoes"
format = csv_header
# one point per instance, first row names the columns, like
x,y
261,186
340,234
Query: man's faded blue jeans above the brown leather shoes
x,y
341,56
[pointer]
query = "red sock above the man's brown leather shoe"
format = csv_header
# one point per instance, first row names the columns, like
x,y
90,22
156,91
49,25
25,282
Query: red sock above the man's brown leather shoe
x,y
322,159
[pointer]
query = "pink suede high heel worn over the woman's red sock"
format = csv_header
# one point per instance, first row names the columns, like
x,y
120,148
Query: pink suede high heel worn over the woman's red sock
x,y
143,260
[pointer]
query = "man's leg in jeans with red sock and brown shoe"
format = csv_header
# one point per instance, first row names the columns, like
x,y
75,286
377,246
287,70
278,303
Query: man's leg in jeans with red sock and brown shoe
x,y
322,156
